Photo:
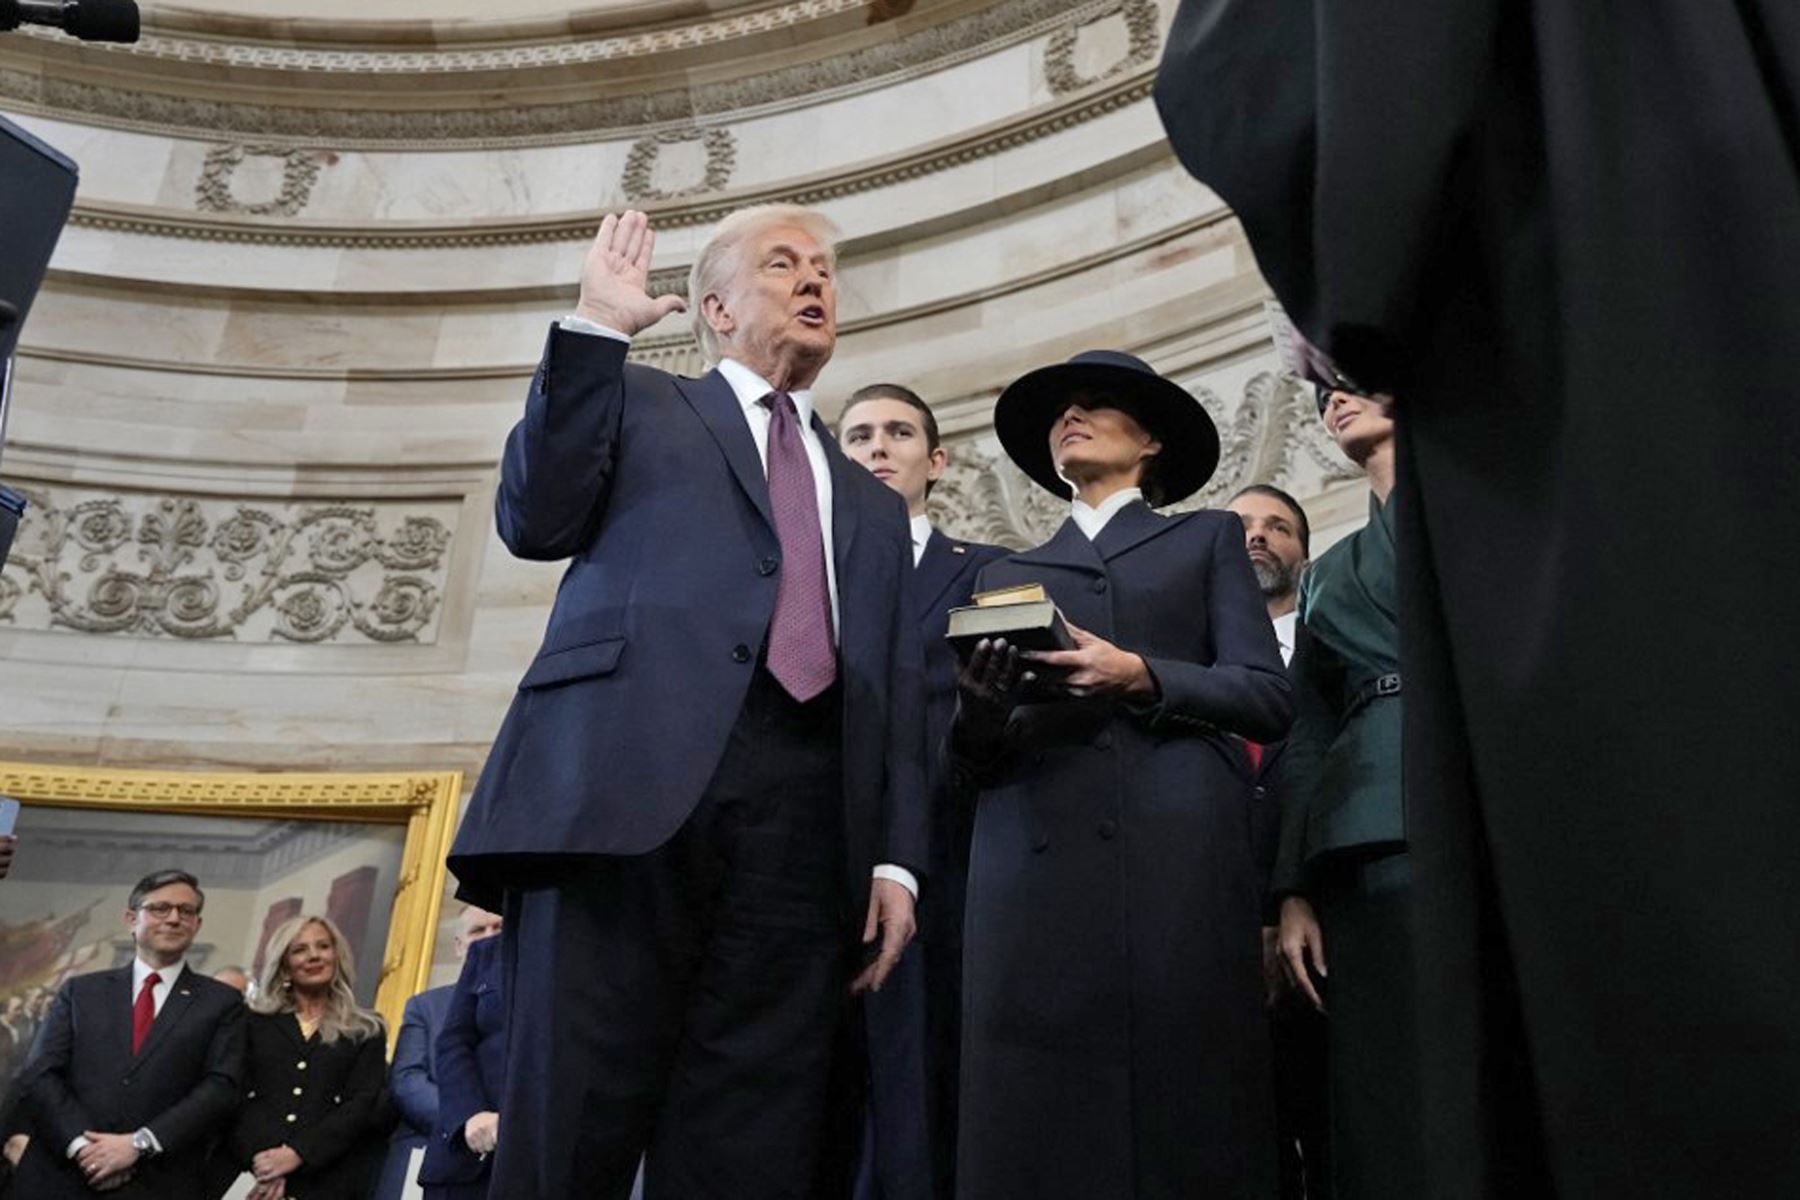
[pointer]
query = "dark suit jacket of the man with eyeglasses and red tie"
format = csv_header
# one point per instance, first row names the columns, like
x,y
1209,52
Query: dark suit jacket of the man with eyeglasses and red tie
x,y
84,1077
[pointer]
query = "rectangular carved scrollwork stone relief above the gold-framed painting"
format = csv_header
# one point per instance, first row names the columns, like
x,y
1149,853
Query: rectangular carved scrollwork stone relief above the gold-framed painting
x,y
204,568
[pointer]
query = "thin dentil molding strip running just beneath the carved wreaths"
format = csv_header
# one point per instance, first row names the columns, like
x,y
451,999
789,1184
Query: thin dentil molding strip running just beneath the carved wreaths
x,y
582,226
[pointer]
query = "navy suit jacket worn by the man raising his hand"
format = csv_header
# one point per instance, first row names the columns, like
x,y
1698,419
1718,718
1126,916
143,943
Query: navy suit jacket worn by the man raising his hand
x,y
654,488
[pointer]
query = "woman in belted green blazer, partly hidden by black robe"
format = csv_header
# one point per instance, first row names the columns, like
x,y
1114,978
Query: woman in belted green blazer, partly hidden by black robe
x,y
1344,873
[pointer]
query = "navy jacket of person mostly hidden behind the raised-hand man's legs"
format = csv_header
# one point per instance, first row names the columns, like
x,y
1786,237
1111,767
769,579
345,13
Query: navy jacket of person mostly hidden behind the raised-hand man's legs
x,y
471,1066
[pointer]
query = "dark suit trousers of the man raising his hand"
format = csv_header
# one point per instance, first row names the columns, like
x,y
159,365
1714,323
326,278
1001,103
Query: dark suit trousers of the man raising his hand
x,y
687,1003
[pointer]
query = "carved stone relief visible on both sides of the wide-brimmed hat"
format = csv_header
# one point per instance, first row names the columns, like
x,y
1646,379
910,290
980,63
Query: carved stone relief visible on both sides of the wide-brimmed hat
x,y
1270,436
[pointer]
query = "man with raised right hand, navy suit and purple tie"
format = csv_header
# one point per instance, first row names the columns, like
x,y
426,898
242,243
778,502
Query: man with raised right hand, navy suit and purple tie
x,y
710,785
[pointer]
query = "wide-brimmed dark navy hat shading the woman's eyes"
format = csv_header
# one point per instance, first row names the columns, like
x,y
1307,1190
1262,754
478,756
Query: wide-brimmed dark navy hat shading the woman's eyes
x,y
1111,381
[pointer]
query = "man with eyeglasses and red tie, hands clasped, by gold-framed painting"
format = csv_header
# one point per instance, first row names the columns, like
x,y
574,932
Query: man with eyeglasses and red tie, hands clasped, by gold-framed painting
x,y
138,1127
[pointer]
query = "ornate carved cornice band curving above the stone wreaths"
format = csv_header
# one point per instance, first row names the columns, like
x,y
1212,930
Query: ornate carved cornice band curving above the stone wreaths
x,y
507,121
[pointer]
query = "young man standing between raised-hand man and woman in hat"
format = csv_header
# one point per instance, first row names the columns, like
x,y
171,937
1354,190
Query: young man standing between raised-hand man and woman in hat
x,y
894,433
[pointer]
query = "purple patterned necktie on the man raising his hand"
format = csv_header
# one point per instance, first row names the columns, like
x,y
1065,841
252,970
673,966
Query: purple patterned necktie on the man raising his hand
x,y
800,638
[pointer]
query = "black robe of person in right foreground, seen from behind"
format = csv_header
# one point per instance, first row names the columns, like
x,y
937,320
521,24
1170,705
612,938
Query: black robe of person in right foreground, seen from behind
x,y
1569,238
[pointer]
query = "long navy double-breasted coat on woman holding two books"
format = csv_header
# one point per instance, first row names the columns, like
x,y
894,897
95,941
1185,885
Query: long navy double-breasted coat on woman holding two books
x,y
1115,1041
